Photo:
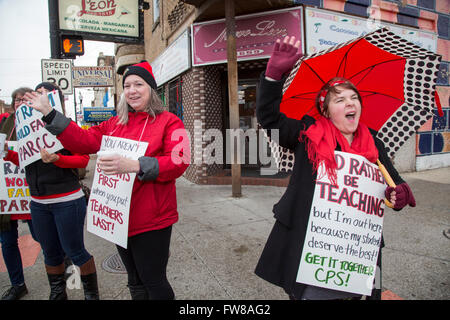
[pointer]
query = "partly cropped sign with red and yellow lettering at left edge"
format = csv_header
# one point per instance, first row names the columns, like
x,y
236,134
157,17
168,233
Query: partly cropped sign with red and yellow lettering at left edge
x,y
14,192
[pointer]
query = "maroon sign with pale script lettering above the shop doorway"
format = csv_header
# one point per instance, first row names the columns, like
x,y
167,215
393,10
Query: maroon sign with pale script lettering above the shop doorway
x,y
255,36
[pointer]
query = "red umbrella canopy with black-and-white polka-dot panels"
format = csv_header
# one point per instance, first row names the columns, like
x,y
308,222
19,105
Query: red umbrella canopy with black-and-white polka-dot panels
x,y
396,80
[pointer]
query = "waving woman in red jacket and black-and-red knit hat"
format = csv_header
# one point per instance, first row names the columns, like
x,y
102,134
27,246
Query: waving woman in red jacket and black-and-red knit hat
x,y
153,208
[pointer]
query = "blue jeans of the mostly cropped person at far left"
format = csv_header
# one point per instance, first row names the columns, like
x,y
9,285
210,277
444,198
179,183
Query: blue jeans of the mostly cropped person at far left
x,y
11,252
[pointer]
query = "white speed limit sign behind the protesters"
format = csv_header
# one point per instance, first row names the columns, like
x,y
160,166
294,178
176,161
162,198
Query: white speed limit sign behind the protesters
x,y
58,71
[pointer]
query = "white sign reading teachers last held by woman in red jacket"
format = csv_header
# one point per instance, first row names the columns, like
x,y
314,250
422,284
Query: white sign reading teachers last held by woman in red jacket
x,y
109,202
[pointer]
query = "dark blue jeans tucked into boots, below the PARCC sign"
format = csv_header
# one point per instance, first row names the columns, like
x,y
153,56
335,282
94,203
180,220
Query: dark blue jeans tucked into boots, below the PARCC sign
x,y
59,229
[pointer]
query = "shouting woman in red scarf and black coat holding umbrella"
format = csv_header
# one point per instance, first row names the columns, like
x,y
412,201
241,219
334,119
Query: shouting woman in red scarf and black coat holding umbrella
x,y
313,142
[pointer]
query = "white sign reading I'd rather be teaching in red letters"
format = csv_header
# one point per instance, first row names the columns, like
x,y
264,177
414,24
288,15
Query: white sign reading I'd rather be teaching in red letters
x,y
344,230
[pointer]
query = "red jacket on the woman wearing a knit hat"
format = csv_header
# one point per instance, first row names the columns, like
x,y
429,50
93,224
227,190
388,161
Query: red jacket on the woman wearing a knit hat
x,y
153,204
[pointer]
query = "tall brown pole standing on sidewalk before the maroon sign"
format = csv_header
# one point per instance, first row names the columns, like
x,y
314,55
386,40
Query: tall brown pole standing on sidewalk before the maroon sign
x,y
232,94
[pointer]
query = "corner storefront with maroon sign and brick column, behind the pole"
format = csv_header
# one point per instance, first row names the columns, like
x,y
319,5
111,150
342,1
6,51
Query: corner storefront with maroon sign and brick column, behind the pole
x,y
197,92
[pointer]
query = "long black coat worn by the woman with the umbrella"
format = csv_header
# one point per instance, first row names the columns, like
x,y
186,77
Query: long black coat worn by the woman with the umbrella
x,y
280,258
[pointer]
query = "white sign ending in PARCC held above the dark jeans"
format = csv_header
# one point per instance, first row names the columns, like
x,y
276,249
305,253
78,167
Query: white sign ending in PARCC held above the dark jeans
x,y
31,133
